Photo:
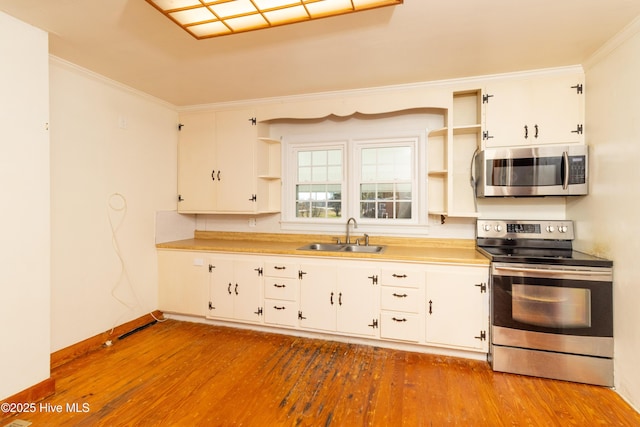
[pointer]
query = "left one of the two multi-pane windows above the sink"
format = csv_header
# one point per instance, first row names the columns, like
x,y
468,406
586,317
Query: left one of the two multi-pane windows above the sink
x,y
319,183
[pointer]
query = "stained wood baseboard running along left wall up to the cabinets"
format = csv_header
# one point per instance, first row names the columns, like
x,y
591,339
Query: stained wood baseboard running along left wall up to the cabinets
x,y
81,348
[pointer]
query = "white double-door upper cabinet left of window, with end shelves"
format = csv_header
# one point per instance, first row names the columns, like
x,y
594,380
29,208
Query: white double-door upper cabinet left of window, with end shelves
x,y
225,166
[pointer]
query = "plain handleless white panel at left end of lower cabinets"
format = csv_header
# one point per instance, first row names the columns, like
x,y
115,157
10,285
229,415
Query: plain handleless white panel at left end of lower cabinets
x,y
183,281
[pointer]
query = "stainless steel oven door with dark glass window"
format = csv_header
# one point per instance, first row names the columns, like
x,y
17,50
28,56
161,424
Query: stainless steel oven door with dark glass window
x,y
557,307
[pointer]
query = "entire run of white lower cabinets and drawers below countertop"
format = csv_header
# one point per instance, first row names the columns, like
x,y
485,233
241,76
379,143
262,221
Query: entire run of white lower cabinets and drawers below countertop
x,y
424,304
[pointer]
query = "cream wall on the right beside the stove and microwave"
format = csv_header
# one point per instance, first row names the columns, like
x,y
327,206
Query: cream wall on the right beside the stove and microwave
x,y
607,221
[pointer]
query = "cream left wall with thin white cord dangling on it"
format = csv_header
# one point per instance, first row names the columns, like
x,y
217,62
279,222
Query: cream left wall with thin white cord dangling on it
x,y
113,166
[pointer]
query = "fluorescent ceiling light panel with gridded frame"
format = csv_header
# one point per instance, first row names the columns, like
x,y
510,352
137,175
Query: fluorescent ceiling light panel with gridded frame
x,y
211,18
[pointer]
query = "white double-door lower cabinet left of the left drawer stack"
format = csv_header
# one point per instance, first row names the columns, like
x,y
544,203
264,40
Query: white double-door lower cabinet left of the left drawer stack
x,y
236,288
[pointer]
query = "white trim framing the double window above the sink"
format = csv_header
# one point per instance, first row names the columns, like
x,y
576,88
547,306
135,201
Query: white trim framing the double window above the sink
x,y
418,225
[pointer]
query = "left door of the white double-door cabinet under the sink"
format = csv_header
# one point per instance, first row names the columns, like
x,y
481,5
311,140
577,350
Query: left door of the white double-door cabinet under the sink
x,y
318,297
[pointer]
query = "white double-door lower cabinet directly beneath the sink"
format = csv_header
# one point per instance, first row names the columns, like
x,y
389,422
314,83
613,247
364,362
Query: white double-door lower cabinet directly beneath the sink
x,y
341,296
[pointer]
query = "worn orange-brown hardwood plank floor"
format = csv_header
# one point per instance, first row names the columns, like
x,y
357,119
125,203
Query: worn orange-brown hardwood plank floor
x,y
189,374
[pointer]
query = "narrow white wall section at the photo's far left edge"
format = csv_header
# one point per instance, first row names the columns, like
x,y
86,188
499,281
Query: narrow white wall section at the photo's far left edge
x,y
24,185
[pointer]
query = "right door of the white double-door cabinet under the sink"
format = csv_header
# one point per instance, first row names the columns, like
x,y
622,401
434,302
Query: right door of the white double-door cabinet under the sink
x,y
358,301
